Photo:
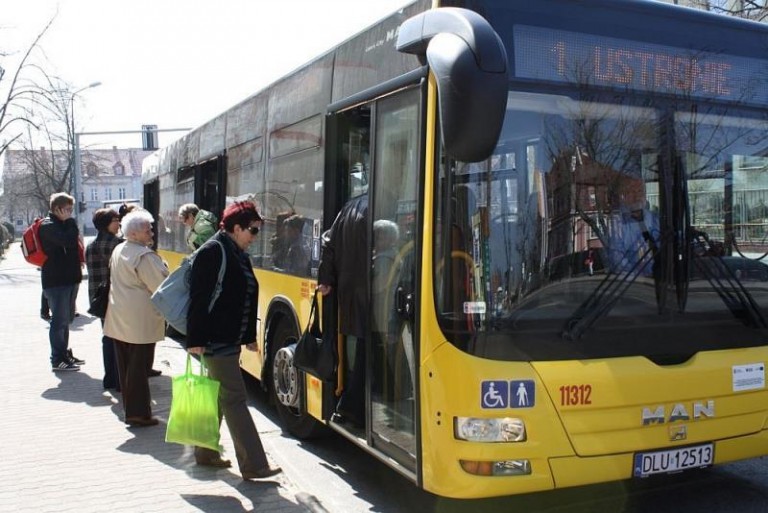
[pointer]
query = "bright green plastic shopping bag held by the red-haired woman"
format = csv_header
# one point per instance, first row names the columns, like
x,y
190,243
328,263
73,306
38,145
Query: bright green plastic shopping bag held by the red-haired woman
x,y
194,417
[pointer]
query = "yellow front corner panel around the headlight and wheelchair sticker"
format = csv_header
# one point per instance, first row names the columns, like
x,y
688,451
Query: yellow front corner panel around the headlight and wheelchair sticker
x,y
455,391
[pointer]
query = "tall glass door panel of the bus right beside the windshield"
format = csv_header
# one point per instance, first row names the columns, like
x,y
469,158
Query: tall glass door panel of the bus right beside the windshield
x,y
393,267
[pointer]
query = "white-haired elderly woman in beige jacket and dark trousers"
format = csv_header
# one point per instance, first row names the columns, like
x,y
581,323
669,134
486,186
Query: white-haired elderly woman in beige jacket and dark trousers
x,y
132,321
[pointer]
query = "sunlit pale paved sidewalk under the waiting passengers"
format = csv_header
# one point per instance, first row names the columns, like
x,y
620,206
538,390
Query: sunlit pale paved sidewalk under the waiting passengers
x,y
65,447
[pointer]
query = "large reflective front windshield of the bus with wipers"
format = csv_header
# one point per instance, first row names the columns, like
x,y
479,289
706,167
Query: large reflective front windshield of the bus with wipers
x,y
607,226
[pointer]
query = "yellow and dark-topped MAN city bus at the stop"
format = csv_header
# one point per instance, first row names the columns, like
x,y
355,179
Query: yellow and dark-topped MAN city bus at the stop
x,y
575,290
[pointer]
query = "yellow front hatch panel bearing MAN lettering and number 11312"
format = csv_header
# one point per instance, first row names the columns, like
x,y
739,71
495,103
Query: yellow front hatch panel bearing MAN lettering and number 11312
x,y
621,388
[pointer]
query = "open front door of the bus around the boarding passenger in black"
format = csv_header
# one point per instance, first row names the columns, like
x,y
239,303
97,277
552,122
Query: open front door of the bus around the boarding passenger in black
x,y
377,151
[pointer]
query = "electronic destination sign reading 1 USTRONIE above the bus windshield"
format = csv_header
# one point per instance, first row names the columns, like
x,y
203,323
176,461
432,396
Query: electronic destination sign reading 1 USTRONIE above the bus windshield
x,y
572,57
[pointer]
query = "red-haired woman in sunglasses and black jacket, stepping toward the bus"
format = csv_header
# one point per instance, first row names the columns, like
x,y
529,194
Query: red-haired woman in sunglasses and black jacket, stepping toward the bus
x,y
230,324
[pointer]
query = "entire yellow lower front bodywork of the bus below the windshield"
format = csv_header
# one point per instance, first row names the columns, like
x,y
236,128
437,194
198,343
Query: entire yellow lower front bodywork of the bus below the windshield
x,y
584,443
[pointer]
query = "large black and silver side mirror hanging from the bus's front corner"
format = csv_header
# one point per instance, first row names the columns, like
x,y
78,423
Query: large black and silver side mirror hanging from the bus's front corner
x,y
469,62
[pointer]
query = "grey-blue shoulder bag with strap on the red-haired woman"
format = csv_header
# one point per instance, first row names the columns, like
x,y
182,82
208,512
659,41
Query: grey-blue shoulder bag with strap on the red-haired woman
x,y
172,296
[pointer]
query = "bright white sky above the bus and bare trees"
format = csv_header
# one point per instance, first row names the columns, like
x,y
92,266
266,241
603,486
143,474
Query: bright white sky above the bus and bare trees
x,y
176,63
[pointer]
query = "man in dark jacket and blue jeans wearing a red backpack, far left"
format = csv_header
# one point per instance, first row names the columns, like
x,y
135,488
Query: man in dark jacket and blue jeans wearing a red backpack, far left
x,y
61,273
